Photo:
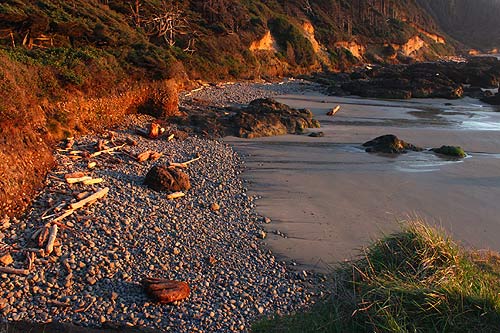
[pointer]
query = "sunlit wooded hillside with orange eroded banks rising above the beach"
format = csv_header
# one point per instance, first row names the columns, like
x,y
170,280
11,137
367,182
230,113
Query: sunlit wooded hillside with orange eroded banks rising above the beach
x,y
68,67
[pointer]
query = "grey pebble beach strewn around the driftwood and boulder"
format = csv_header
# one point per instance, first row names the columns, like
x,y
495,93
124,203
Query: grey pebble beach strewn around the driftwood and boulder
x,y
108,247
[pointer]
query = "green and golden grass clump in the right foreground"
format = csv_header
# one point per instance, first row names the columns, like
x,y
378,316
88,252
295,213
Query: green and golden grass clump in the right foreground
x,y
417,280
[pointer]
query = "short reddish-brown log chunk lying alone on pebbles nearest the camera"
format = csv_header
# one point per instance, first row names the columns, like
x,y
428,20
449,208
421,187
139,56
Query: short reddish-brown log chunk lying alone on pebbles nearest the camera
x,y
166,291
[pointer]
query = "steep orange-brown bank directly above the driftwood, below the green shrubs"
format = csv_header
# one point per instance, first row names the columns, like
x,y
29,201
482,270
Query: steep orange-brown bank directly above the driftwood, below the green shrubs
x,y
35,113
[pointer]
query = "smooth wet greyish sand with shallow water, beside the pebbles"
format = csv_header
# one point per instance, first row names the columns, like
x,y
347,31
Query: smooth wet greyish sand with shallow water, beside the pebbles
x,y
330,198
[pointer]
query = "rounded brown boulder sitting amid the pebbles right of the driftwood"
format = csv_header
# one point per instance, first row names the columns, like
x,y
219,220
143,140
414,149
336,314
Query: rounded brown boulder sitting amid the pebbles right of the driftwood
x,y
161,178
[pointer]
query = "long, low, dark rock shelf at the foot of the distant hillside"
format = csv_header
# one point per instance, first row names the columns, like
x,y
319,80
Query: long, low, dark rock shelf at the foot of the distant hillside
x,y
419,80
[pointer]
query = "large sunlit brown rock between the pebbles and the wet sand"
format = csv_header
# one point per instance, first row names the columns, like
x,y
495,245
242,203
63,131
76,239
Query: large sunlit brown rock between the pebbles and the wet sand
x,y
267,117
